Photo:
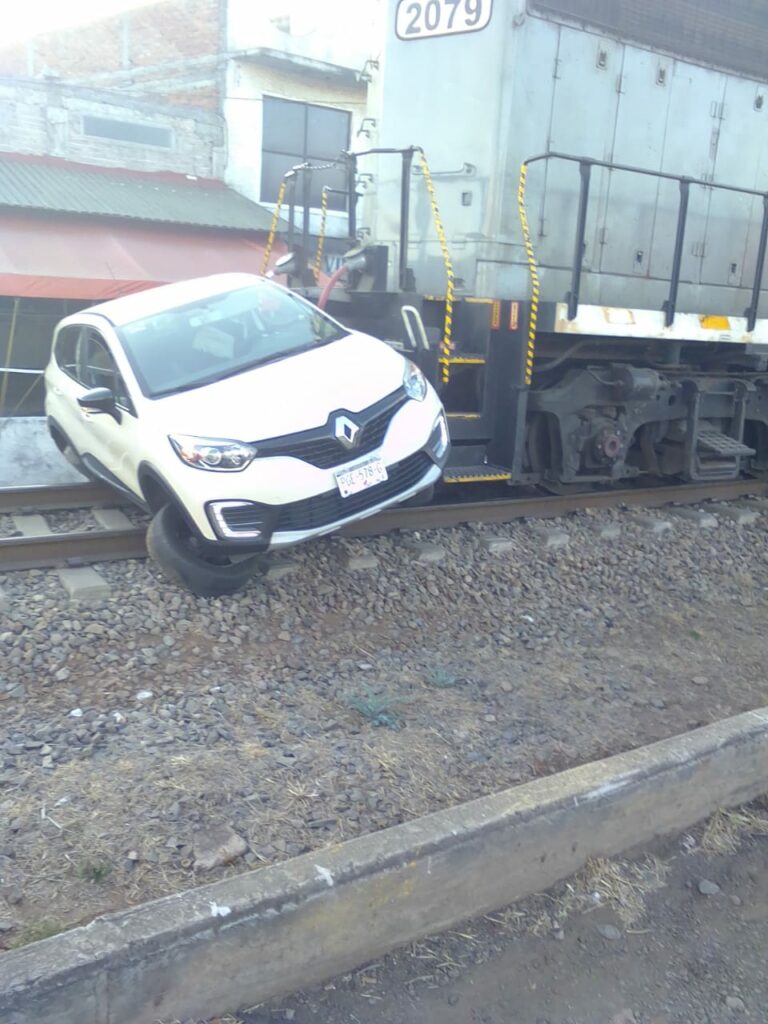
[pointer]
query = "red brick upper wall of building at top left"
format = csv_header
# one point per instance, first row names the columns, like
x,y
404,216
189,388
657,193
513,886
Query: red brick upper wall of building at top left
x,y
166,52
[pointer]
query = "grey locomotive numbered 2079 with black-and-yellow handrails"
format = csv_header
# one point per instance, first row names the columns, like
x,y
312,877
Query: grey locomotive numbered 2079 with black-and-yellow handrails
x,y
563,218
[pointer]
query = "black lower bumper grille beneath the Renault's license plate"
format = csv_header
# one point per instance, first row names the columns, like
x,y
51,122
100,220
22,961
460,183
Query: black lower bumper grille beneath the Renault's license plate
x,y
312,514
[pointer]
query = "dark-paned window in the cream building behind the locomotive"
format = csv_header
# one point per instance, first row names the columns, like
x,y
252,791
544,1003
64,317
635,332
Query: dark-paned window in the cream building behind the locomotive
x,y
296,134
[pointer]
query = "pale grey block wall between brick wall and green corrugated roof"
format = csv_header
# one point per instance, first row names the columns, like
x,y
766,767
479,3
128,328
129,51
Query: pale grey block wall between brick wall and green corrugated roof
x,y
48,119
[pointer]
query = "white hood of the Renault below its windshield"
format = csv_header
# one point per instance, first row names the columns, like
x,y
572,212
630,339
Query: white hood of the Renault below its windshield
x,y
291,395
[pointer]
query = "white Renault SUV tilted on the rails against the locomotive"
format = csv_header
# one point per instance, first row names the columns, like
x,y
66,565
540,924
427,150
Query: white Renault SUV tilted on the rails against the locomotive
x,y
242,417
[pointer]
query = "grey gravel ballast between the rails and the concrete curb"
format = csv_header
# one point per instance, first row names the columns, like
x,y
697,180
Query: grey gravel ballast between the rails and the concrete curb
x,y
328,702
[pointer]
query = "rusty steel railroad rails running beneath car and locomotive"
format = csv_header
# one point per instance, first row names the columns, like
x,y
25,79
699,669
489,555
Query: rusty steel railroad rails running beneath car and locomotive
x,y
80,548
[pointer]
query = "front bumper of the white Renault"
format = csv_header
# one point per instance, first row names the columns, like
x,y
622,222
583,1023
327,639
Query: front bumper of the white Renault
x,y
248,519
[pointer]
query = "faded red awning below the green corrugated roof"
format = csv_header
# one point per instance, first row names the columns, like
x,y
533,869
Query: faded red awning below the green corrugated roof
x,y
55,258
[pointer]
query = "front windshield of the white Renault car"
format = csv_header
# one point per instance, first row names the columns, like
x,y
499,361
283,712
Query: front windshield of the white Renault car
x,y
221,336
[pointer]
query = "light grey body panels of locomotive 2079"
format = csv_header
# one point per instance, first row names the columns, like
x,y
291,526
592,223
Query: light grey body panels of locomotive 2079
x,y
482,103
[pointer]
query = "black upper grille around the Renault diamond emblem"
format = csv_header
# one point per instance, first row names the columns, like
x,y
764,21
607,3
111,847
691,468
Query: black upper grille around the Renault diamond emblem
x,y
320,448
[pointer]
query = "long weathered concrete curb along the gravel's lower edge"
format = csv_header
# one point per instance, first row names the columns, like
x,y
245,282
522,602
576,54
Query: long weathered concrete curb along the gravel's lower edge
x,y
266,933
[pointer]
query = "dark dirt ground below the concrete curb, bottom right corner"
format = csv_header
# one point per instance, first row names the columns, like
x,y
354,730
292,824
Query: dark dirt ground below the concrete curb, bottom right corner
x,y
663,953
